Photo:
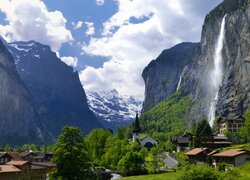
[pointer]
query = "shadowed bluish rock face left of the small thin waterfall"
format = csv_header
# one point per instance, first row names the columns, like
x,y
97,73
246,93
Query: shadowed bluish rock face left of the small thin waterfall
x,y
163,74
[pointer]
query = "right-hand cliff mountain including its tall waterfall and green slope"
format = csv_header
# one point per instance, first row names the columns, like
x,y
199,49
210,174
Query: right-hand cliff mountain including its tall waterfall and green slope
x,y
216,80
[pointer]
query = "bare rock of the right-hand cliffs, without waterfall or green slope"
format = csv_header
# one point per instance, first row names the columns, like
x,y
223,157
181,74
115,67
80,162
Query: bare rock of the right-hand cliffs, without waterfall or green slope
x,y
234,92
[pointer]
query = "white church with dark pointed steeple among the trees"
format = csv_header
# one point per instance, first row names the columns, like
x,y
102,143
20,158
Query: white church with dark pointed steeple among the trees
x,y
147,141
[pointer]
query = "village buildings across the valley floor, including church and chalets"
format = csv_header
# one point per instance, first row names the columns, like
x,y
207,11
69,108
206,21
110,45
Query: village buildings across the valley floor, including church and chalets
x,y
37,165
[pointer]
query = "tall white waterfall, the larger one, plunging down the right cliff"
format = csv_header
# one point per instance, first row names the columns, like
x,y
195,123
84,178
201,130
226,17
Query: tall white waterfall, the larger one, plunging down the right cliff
x,y
217,73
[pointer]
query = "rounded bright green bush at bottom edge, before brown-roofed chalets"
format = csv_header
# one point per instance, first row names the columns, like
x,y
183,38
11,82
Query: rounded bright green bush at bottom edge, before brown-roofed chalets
x,y
199,172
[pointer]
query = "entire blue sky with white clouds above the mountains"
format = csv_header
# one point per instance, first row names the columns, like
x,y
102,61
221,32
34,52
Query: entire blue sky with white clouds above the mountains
x,y
109,42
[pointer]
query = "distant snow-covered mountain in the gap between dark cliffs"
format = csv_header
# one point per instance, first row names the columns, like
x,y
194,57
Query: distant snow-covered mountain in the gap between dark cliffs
x,y
113,109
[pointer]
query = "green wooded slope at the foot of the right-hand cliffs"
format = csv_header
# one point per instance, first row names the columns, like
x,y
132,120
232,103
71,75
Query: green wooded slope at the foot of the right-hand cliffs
x,y
167,116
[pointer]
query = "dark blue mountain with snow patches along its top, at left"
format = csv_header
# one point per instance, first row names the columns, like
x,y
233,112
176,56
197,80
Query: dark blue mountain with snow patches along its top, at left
x,y
56,89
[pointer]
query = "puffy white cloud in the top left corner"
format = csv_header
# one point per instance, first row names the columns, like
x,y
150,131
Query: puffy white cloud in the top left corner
x,y
31,20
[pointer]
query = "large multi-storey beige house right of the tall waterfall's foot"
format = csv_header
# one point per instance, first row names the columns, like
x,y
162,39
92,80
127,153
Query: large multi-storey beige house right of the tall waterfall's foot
x,y
232,125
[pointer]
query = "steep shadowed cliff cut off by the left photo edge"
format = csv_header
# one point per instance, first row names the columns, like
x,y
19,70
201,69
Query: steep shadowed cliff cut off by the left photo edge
x,y
19,122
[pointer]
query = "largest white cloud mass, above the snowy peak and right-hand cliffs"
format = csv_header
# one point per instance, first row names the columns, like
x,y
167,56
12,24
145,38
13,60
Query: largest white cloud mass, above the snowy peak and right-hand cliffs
x,y
130,47
